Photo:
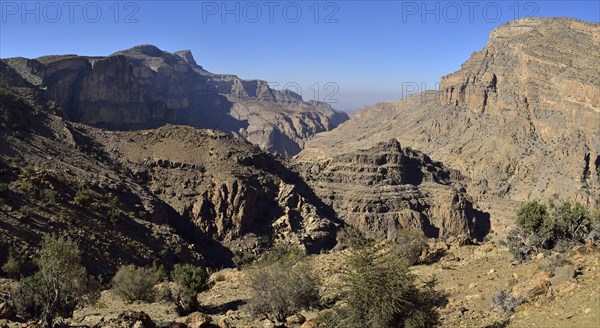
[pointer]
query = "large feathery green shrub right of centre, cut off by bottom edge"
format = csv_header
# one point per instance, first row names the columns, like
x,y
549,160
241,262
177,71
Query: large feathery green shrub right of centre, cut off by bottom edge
x,y
378,291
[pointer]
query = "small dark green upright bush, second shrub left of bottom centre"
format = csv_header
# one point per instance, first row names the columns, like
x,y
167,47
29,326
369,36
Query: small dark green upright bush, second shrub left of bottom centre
x,y
190,281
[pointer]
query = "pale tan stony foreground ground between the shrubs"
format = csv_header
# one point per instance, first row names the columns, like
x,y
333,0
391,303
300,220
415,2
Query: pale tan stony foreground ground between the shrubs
x,y
559,290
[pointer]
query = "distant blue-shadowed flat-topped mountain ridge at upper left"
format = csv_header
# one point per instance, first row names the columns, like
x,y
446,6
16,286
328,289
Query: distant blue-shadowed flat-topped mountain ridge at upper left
x,y
145,87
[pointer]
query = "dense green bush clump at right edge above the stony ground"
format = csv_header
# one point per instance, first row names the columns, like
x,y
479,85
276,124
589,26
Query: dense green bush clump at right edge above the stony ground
x,y
542,227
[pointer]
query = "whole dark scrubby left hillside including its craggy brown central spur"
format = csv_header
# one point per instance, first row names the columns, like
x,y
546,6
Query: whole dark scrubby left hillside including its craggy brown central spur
x,y
176,194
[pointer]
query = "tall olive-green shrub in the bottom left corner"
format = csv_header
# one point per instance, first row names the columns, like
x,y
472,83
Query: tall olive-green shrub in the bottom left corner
x,y
58,287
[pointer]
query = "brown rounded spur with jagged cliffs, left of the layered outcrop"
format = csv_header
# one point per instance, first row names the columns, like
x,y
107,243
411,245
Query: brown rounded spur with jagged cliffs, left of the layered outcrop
x,y
228,188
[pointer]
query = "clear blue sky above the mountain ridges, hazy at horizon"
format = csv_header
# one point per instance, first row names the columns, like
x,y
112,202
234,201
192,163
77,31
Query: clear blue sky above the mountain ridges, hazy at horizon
x,y
348,53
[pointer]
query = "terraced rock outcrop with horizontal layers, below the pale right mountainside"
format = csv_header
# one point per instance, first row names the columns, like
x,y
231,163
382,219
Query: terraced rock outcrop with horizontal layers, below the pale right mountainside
x,y
385,188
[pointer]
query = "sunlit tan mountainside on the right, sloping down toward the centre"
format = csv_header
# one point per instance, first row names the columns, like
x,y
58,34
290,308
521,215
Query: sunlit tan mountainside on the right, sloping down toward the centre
x,y
521,119
